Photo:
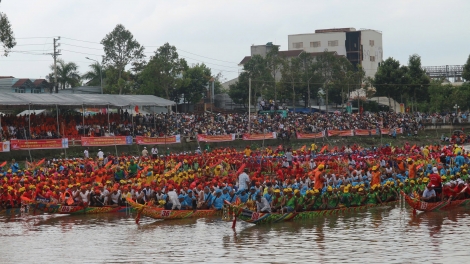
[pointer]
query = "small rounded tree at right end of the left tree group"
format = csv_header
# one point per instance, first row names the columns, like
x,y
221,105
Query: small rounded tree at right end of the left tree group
x,y
194,83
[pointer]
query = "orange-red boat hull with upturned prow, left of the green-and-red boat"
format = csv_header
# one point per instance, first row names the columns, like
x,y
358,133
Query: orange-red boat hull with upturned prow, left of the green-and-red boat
x,y
160,213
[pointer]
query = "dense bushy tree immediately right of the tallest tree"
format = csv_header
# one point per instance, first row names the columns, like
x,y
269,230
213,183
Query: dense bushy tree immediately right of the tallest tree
x,y
163,73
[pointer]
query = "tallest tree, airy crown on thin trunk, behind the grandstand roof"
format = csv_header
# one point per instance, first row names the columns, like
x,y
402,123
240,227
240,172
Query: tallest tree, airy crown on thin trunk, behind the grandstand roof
x,y
120,49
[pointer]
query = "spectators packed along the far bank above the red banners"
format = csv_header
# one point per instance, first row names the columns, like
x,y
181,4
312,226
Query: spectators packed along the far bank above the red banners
x,y
191,124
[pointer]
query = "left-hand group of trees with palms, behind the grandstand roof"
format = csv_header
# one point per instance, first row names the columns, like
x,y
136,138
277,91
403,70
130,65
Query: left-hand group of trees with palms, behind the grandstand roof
x,y
124,70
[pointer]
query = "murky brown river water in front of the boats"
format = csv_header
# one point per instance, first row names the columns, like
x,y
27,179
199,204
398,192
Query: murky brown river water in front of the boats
x,y
387,235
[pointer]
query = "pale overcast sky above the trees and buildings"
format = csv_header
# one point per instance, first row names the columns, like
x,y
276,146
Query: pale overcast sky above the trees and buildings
x,y
220,33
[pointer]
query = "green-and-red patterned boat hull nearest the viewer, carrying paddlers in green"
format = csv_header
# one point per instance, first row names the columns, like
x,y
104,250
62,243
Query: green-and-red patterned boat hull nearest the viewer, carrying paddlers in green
x,y
252,217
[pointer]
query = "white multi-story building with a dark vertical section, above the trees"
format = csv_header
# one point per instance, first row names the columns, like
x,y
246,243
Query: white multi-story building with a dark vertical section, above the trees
x,y
363,47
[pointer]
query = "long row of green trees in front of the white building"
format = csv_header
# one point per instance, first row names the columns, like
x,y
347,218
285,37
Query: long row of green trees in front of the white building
x,y
329,78
